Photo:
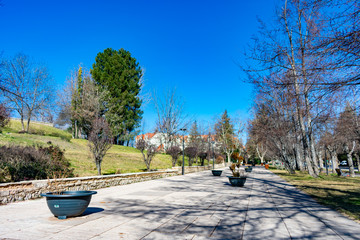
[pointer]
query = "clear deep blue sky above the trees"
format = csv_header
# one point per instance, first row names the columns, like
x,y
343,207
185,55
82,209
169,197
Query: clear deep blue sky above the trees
x,y
188,44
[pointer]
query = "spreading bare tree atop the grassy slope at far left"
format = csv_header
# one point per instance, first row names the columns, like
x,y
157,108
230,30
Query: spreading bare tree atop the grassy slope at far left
x,y
29,87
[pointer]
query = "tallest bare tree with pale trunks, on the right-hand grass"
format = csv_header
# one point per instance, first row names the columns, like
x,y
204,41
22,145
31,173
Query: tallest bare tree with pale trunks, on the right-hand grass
x,y
285,56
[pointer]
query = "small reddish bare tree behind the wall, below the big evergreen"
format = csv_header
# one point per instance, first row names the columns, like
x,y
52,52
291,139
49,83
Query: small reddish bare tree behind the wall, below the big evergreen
x,y
100,141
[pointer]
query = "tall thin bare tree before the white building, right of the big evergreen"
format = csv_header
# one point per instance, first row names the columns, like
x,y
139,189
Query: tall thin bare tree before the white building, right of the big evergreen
x,y
170,117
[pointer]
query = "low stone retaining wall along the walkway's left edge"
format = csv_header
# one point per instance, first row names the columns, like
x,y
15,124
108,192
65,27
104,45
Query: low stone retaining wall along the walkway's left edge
x,y
19,191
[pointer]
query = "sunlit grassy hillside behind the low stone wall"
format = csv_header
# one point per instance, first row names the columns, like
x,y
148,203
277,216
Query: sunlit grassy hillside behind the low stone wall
x,y
119,159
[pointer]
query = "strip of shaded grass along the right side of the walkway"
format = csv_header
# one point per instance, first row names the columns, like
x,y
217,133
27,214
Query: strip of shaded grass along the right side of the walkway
x,y
340,193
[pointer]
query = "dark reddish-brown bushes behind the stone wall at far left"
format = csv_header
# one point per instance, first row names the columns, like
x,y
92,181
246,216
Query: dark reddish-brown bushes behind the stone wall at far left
x,y
27,163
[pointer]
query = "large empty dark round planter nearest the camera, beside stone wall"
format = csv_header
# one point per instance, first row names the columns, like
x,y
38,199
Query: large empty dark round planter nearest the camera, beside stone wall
x,y
68,203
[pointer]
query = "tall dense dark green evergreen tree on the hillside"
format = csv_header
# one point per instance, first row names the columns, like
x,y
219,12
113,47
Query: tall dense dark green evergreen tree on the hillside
x,y
118,76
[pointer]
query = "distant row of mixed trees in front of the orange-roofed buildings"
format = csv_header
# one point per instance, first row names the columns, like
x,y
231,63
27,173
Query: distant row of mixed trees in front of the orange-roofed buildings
x,y
171,119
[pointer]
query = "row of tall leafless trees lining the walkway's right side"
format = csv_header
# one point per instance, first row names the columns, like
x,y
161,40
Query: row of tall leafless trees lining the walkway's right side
x,y
305,69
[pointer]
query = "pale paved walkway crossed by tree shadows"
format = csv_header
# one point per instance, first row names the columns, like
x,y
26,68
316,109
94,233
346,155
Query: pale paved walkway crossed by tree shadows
x,y
194,206
